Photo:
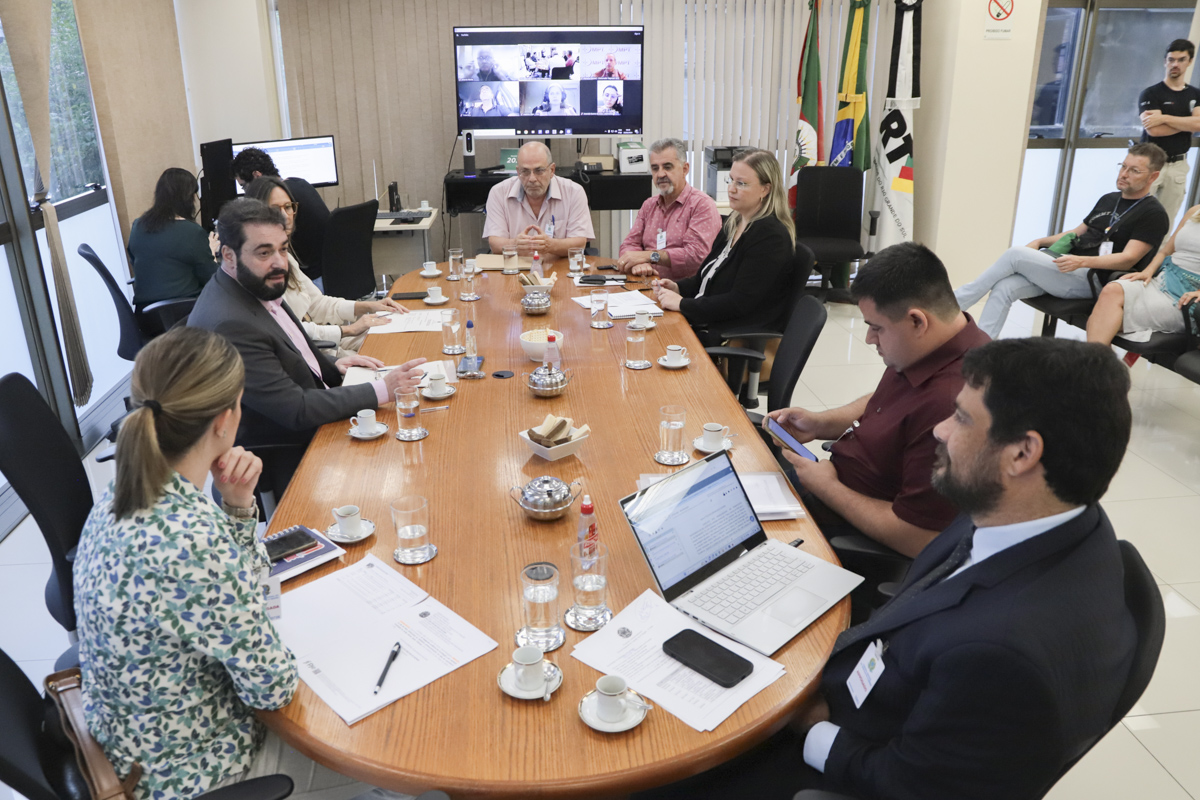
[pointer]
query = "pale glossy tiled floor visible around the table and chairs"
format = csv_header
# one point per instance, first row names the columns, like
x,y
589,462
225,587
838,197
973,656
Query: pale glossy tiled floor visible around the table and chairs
x,y
1154,502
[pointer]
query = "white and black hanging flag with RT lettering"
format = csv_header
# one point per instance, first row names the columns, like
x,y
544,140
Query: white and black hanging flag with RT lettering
x,y
893,149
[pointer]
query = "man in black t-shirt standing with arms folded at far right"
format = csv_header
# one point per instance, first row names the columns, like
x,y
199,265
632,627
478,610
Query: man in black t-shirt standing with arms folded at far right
x,y
1171,117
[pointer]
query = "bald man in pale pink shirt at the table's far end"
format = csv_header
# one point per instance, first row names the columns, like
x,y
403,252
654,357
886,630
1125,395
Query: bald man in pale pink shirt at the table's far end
x,y
537,210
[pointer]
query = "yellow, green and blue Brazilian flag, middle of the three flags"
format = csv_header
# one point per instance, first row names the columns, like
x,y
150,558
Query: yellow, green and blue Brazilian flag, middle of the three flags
x,y
851,131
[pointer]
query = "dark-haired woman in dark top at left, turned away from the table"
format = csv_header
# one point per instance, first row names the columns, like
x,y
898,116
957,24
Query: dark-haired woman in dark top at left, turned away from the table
x,y
172,256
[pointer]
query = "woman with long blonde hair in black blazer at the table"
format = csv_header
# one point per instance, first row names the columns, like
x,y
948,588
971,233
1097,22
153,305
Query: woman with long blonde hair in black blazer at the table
x,y
748,278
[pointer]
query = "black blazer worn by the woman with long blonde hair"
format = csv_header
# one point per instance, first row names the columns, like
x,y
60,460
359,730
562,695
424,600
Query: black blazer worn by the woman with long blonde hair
x,y
753,287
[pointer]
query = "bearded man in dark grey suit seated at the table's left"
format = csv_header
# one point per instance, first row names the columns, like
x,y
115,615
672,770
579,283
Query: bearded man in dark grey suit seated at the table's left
x,y
291,388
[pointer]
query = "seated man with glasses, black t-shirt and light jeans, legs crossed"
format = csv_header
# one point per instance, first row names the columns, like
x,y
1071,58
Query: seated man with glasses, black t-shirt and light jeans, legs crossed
x,y
1123,232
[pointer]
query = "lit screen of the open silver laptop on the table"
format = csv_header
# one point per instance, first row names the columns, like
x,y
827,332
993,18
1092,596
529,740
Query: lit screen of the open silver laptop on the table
x,y
693,524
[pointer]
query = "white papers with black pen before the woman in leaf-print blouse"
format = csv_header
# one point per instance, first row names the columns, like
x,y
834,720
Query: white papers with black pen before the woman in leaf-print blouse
x,y
343,628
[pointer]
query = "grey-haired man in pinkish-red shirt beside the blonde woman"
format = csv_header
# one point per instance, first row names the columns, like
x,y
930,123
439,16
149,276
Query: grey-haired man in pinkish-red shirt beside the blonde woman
x,y
674,231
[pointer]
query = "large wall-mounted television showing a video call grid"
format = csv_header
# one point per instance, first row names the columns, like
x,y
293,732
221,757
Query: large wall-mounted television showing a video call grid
x,y
550,82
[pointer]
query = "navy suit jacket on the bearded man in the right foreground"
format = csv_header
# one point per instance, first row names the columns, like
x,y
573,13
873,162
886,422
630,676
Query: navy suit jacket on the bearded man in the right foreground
x,y
994,679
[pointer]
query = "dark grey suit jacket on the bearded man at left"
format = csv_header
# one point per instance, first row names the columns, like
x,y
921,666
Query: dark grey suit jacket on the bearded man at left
x,y
284,402
